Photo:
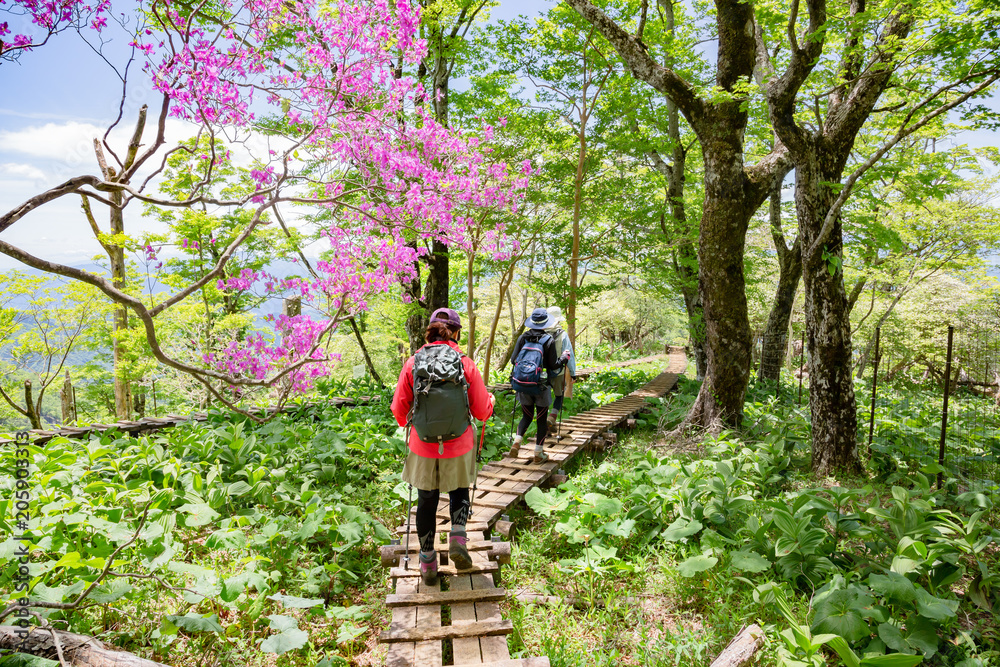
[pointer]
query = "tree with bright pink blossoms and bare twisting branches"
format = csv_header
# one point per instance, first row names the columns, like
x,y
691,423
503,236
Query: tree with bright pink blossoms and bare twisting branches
x,y
318,118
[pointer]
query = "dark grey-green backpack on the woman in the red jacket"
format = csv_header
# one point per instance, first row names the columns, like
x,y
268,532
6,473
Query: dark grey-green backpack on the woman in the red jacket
x,y
440,395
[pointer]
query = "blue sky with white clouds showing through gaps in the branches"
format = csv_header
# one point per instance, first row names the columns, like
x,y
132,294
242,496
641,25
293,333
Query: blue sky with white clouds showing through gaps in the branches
x,y
63,95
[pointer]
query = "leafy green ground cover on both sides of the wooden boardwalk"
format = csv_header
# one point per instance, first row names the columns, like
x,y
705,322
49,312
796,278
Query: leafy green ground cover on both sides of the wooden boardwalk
x,y
235,544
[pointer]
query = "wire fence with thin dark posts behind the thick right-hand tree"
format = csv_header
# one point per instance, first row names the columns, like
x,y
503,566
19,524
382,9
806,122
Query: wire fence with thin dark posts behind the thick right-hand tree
x,y
932,406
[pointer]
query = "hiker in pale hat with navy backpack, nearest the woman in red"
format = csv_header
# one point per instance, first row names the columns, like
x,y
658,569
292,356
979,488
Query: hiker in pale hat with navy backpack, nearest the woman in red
x,y
535,364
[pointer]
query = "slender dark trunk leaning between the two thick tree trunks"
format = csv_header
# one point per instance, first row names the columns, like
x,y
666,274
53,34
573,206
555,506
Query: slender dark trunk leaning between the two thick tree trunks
x,y
775,343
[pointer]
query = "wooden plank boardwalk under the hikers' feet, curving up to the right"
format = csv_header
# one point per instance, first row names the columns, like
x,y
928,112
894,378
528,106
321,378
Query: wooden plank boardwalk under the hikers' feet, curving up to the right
x,y
459,618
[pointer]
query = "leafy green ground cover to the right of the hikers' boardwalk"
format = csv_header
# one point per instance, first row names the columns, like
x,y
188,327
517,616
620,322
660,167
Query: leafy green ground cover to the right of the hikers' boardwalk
x,y
663,553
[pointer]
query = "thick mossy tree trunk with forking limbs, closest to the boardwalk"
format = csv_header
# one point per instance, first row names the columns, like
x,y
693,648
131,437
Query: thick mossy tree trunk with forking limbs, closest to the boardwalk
x,y
732,195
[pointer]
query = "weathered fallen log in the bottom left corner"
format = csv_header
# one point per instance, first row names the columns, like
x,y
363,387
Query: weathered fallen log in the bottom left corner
x,y
78,650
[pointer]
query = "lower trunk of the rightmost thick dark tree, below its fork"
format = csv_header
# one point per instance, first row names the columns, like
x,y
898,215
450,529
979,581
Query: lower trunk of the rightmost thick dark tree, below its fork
x,y
831,385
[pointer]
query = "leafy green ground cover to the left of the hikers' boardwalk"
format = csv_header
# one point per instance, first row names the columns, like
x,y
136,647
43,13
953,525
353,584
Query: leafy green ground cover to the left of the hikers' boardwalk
x,y
227,542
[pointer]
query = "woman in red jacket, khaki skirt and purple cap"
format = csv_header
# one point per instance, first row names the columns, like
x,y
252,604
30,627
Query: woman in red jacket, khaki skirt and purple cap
x,y
443,464
